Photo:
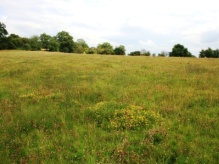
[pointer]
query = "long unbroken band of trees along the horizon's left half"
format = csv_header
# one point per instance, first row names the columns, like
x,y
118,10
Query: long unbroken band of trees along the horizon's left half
x,y
62,42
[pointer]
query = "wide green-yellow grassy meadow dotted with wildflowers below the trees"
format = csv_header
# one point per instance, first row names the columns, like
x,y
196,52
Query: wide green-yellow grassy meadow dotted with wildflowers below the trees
x,y
69,108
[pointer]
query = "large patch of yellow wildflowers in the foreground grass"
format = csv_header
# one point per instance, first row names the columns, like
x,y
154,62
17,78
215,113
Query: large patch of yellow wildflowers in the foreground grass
x,y
118,116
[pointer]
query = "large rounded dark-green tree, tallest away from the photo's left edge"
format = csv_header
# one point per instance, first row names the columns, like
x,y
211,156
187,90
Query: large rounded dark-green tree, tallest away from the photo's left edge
x,y
66,41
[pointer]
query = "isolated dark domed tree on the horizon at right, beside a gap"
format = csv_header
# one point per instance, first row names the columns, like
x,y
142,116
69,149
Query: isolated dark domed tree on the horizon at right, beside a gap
x,y
180,51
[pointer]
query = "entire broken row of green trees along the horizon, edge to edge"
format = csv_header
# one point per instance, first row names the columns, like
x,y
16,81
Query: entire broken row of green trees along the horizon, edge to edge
x,y
64,42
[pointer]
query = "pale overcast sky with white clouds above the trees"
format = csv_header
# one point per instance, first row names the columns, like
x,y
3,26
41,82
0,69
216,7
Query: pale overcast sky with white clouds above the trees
x,y
137,24
